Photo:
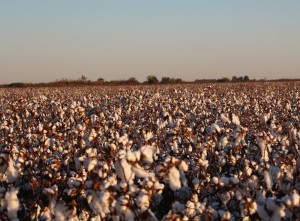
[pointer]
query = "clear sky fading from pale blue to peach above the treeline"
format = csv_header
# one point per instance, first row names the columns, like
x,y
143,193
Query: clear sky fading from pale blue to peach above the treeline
x,y
42,41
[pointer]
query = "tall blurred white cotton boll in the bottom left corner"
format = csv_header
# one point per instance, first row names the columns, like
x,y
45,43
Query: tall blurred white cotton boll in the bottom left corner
x,y
12,203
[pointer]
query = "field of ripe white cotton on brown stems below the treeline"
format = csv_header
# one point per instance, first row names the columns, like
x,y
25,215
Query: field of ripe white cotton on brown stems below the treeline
x,y
177,152
